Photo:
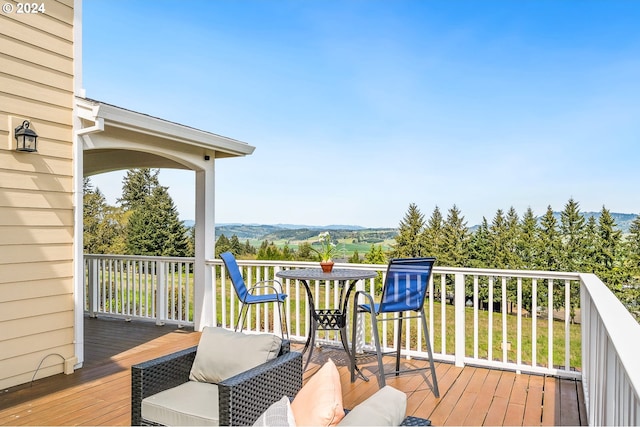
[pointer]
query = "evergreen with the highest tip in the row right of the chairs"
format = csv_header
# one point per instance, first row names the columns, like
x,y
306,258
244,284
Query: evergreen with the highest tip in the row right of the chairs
x,y
572,231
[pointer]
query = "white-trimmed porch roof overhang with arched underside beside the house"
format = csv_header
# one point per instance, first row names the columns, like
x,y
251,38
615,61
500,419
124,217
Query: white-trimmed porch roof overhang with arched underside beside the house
x,y
115,138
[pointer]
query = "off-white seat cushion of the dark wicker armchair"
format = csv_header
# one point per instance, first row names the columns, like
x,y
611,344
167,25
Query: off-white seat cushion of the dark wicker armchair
x,y
190,404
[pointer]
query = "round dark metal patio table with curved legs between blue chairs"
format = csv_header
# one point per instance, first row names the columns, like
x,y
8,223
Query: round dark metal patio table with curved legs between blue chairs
x,y
327,318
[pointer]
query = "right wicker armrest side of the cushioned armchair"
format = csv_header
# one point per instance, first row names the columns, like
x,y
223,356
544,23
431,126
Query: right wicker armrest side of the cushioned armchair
x,y
244,397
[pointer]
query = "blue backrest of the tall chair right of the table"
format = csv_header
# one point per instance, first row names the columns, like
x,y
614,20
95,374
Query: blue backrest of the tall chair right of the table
x,y
406,283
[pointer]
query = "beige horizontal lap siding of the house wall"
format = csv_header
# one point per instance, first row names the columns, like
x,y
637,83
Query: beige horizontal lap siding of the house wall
x,y
36,194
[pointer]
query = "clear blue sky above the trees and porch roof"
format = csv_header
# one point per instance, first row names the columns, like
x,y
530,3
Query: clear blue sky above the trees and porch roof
x,y
358,108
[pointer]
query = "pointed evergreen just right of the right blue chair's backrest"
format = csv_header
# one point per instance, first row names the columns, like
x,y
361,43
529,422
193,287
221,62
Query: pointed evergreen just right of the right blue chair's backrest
x,y
455,242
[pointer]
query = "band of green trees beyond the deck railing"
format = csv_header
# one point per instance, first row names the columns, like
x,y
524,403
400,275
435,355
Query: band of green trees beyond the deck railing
x,y
146,222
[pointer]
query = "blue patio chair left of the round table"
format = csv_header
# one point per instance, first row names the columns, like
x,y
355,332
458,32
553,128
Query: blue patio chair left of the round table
x,y
248,297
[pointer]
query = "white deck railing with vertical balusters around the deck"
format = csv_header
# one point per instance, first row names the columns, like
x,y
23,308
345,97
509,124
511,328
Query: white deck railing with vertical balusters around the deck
x,y
521,333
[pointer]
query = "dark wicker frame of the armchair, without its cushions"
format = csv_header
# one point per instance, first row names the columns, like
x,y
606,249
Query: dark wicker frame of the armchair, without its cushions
x,y
241,398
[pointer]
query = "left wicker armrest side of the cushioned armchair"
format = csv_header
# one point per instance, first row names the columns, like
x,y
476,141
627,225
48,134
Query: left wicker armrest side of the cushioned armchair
x,y
154,376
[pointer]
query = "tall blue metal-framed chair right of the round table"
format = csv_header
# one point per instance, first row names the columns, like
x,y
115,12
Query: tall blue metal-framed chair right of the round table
x,y
404,290
